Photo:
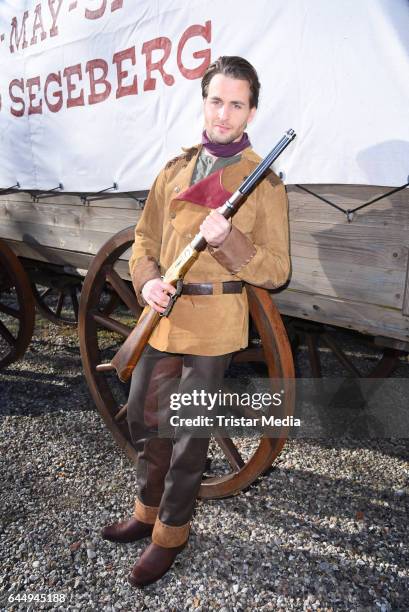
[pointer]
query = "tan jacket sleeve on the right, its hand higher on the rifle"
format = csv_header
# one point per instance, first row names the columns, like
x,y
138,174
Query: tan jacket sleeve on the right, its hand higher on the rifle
x,y
261,258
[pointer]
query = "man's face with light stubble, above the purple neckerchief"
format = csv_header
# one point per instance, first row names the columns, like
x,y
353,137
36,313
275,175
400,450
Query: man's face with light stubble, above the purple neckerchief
x,y
227,109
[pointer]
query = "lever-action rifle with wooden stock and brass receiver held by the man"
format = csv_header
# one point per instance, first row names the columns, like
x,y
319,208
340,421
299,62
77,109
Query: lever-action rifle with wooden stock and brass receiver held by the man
x,y
128,355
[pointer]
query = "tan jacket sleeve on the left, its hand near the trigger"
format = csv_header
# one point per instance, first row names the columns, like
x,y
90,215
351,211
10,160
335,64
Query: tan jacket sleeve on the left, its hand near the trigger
x,y
144,260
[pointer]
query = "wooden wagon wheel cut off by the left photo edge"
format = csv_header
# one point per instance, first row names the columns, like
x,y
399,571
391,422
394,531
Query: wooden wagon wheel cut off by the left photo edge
x,y
16,307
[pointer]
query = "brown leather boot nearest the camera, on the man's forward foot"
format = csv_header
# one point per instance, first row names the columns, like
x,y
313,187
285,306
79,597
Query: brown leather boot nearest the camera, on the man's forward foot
x,y
153,564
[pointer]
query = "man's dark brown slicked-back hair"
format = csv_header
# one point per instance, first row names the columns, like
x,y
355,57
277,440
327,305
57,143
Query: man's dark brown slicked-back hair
x,y
237,68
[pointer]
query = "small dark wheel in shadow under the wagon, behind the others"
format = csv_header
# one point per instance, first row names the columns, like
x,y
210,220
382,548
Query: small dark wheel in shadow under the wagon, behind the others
x,y
59,303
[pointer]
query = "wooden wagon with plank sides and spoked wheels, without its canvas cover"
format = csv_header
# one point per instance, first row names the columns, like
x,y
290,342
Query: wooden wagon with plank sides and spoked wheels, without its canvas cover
x,y
347,272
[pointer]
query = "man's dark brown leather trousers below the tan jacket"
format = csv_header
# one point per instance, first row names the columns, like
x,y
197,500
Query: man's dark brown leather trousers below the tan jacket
x,y
169,470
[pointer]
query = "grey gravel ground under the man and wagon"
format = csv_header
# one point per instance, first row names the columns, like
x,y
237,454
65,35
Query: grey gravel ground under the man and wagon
x,y
325,529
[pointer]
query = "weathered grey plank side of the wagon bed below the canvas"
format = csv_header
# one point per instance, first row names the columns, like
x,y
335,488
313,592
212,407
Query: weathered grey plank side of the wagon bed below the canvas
x,y
349,274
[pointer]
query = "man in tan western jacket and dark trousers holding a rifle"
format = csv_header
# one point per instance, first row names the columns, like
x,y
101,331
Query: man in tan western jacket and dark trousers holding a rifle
x,y
209,321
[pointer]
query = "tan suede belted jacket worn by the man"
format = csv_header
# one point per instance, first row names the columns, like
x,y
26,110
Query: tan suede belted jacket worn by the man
x,y
255,251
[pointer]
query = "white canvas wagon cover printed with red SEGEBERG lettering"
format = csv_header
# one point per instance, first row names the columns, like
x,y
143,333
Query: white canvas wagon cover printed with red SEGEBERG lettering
x,y
101,91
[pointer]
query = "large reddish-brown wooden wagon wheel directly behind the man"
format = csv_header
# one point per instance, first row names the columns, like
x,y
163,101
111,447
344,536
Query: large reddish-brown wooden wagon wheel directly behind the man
x,y
101,335
